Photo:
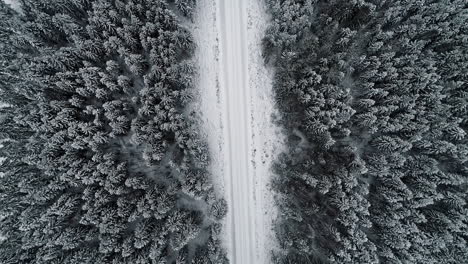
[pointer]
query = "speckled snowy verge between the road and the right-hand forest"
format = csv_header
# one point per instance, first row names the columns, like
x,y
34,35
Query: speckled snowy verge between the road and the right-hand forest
x,y
267,138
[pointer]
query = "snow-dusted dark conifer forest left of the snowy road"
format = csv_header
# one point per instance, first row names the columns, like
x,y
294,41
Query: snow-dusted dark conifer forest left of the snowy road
x,y
103,164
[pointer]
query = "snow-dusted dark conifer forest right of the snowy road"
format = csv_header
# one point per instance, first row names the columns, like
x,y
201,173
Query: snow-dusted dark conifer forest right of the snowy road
x,y
374,94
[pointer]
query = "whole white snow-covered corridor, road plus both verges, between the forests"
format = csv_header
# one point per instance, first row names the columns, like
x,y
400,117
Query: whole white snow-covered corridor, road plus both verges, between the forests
x,y
236,110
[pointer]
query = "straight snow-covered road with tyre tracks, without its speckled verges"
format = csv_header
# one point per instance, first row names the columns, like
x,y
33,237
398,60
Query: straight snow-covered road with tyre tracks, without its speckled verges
x,y
234,59
